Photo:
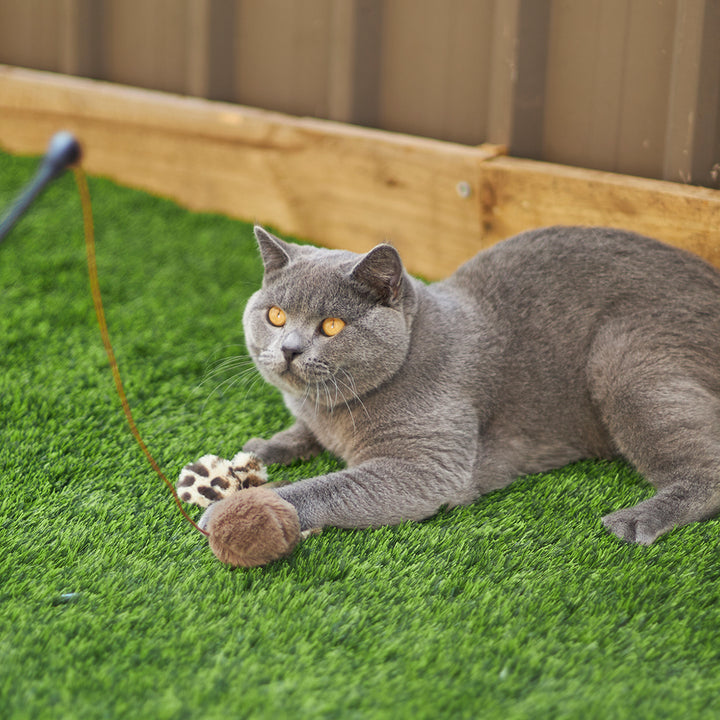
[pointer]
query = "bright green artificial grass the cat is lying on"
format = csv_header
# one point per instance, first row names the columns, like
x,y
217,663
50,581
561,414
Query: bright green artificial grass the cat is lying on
x,y
520,606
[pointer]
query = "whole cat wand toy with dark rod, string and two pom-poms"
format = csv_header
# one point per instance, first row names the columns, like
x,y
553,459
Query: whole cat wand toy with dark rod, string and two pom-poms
x,y
247,528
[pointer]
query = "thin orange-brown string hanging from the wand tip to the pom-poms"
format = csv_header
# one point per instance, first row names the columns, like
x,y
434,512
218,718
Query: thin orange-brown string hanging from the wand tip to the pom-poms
x,y
82,185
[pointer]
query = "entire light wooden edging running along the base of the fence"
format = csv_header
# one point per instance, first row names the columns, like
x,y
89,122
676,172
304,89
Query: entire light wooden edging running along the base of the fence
x,y
339,185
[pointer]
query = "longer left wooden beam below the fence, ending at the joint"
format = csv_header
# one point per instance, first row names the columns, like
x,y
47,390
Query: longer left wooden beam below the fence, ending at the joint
x,y
340,185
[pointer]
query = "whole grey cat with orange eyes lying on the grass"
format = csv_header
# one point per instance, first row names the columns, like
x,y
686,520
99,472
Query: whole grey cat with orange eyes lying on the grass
x,y
557,344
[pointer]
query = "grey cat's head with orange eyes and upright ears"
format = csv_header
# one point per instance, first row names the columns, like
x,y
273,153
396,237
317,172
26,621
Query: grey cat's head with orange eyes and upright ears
x,y
329,325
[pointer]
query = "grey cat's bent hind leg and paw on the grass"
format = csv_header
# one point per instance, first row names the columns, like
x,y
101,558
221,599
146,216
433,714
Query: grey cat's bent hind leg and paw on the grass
x,y
661,407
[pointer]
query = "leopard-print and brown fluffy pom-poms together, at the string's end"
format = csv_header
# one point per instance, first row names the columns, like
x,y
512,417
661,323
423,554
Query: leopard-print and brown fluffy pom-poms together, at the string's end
x,y
248,528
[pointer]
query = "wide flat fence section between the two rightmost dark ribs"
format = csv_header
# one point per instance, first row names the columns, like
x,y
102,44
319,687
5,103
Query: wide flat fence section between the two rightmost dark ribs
x,y
608,75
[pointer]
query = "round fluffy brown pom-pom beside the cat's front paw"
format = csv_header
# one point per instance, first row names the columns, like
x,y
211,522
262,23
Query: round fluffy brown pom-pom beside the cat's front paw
x,y
253,527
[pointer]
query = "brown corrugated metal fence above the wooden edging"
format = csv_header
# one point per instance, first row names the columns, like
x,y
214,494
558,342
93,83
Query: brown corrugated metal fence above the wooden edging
x,y
630,86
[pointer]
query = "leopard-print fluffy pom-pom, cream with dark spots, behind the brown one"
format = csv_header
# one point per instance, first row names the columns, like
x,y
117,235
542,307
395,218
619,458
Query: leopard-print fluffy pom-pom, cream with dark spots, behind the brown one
x,y
213,478
